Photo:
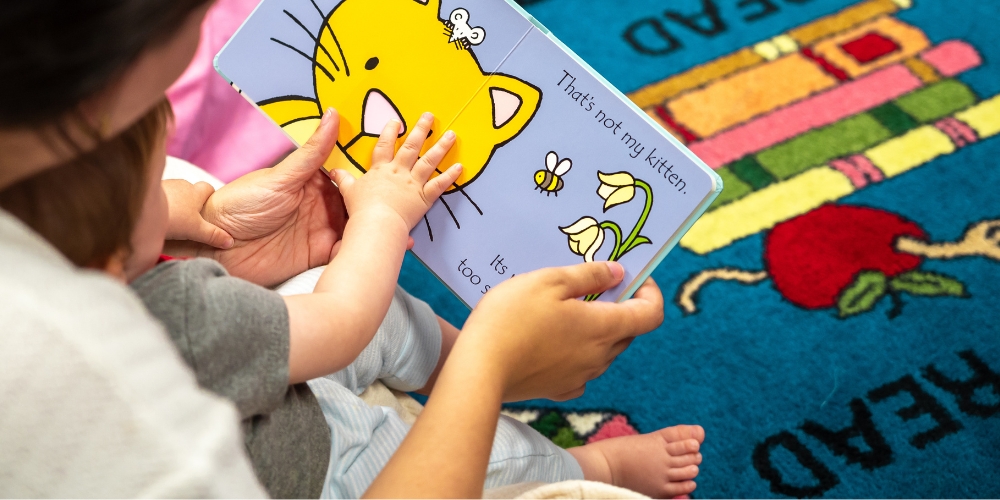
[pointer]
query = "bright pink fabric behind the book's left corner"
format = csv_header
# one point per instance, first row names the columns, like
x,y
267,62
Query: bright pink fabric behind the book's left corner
x,y
216,128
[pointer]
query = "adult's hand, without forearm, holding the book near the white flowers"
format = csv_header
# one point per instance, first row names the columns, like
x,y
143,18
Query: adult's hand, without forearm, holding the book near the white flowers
x,y
544,342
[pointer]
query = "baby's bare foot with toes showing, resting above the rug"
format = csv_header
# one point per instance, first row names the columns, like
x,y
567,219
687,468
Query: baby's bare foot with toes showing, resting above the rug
x,y
660,464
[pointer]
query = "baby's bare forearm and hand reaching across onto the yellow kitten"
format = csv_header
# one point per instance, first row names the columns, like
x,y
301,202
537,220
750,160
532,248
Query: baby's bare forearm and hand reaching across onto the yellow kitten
x,y
332,325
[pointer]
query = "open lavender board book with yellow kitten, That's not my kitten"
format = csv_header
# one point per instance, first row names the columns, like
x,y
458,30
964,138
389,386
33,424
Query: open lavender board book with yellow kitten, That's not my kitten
x,y
559,167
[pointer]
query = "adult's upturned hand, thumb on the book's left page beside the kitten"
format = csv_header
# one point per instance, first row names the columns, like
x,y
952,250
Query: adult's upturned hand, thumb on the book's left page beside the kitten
x,y
285,219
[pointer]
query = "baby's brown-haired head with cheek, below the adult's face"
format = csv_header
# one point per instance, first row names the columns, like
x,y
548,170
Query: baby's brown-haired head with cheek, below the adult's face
x,y
105,209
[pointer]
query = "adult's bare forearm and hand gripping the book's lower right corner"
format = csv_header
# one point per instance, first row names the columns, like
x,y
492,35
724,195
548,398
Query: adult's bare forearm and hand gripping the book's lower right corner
x,y
529,338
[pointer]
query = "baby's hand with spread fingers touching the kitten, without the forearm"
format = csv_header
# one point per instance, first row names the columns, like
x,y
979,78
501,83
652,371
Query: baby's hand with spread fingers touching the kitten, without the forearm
x,y
400,183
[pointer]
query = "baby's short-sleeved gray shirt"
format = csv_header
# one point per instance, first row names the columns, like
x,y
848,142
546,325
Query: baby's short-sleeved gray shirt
x,y
235,336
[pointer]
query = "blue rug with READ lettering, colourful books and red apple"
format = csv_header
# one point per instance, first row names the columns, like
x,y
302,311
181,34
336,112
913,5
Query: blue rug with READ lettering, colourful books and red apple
x,y
834,321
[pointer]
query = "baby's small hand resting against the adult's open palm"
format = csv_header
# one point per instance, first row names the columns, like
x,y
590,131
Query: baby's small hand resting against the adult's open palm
x,y
185,222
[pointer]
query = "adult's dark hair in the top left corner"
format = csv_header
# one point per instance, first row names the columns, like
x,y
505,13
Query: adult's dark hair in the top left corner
x,y
55,54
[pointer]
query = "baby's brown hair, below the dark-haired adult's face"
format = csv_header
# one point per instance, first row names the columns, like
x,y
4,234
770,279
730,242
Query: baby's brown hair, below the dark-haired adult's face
x,y
88,207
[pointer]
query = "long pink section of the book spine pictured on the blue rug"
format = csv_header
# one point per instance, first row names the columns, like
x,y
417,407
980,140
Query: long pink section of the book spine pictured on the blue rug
x,y
823,109
